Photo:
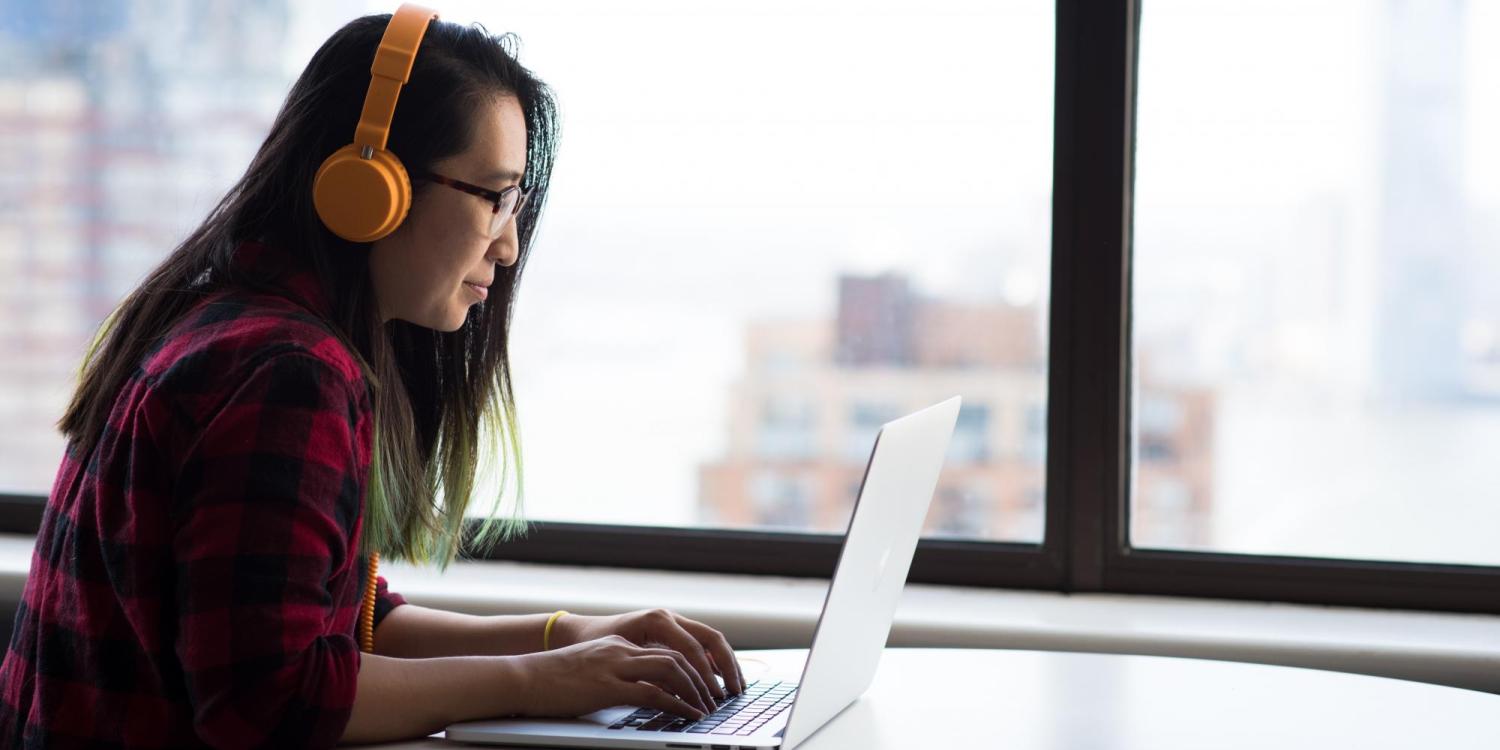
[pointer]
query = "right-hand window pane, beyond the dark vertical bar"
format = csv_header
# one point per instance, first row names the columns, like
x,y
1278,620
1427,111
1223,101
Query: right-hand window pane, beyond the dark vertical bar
x,y
1318,280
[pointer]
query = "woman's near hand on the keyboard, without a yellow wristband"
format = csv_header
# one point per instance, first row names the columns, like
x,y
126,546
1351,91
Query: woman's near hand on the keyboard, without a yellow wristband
x,y
611,671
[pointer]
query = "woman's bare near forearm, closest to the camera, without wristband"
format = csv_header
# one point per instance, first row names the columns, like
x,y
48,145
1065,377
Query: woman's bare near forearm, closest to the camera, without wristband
x,y
412,698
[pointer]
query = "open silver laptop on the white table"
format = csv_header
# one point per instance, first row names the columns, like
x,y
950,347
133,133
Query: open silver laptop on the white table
x,y
898,488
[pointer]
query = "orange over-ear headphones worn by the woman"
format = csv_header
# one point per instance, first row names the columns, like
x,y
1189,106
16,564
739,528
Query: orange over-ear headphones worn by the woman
x,y
362,191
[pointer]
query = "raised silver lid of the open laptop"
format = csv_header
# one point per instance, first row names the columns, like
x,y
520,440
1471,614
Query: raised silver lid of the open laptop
x,y
872,568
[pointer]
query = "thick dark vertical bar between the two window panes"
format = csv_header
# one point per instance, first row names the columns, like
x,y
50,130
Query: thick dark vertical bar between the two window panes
x,y
1090,344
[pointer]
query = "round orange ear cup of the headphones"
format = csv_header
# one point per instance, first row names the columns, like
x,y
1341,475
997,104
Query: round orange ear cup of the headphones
x,y
362,200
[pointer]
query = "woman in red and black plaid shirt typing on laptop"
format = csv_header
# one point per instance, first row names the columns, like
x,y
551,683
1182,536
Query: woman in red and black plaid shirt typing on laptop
x,y
275,406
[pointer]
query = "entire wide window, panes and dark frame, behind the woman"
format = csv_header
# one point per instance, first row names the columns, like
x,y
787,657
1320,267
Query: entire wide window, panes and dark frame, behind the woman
x,y
1216,280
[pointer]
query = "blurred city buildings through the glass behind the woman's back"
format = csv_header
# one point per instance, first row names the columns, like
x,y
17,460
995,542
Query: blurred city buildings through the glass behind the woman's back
x,y
121,127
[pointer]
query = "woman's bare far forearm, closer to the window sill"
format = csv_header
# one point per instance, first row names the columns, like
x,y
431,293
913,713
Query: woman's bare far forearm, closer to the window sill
x,y
415,632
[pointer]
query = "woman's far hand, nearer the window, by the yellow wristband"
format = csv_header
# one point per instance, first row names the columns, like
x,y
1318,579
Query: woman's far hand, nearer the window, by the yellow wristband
x,y
707,650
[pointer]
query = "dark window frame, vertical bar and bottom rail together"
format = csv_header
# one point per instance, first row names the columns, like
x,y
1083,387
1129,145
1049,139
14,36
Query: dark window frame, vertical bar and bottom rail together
x,y
1087,545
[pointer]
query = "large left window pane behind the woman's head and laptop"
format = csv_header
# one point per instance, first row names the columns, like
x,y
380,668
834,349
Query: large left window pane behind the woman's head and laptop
x,y
791,232
